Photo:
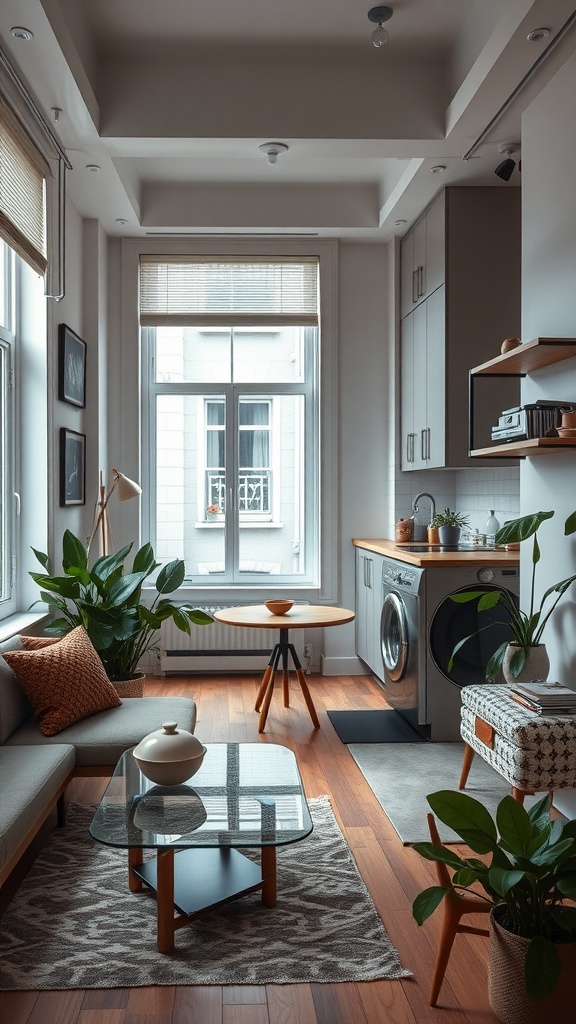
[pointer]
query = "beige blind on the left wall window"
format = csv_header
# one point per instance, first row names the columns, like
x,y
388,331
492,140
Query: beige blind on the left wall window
x,y
23,190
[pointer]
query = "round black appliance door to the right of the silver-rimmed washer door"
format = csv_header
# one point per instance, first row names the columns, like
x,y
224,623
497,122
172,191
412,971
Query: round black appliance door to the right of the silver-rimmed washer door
x,y
487,630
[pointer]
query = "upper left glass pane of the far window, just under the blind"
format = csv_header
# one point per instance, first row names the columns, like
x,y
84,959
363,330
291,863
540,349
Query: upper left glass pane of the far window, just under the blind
x,y
187,354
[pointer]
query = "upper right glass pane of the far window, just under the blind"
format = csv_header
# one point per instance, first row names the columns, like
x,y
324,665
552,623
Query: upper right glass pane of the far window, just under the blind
x,y
269,355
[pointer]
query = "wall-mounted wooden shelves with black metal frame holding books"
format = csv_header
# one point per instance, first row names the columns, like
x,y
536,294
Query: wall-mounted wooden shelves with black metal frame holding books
x,y
525,360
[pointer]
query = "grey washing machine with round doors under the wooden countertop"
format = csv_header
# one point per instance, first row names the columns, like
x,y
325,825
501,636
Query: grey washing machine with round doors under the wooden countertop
x,y
420,628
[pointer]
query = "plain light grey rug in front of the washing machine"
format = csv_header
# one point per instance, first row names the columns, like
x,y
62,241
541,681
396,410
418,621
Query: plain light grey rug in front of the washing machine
x,y
401,776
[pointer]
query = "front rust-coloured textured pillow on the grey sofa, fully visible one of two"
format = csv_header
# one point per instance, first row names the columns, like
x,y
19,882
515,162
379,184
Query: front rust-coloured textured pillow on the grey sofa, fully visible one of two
x,y
64,681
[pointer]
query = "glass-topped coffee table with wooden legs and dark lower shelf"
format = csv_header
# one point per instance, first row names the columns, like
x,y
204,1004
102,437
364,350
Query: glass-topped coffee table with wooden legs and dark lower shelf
x,y
245,795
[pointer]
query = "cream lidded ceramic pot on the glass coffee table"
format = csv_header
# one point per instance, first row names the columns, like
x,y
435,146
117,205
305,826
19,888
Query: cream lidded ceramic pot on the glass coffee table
x,y
170,756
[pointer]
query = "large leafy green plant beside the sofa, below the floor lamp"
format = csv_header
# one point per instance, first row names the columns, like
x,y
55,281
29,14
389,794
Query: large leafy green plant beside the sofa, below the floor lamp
x,y
107,601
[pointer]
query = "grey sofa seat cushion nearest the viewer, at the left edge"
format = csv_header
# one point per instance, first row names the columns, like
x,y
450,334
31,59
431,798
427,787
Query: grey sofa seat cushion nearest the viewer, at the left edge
x,y
31,780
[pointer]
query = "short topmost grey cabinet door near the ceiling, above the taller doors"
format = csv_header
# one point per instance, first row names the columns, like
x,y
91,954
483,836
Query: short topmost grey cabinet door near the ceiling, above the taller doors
x,y
423,258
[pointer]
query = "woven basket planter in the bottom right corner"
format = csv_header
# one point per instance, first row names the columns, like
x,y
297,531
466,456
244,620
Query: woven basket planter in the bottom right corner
x,y
507,991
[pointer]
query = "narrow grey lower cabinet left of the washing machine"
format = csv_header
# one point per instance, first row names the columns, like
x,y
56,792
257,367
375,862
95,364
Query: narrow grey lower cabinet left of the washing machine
x,y
368,609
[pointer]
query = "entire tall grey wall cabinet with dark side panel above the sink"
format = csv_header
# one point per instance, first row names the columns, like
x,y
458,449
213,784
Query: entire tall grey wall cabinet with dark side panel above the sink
x,y
476,234
